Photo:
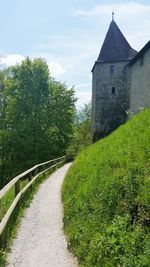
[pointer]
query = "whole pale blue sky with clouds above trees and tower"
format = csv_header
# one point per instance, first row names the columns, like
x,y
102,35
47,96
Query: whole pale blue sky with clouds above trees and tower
x,y
68,34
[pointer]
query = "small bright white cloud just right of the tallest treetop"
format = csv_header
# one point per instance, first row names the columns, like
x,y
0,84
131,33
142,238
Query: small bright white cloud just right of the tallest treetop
x,y
56,69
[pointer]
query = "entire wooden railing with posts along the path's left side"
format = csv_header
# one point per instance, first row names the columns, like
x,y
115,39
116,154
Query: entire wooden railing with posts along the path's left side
x,y
32,174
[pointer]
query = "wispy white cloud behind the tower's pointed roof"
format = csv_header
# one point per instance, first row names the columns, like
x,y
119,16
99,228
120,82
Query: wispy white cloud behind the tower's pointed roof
x,y
132,18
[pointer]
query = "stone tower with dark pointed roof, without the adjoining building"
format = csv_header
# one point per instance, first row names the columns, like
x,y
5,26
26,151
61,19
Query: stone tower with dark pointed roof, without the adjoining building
x,y
110,91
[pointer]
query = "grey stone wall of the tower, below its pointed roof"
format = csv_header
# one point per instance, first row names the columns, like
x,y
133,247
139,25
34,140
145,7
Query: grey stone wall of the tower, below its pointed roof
x,y
110,97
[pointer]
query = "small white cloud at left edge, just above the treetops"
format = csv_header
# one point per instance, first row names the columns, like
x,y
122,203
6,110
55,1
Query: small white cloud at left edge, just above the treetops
x,y
10,60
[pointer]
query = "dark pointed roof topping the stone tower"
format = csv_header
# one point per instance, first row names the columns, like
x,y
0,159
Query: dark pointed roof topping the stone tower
x,y
115,46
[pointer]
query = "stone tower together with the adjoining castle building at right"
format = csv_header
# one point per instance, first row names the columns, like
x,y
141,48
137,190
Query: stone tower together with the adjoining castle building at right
x,y
120,82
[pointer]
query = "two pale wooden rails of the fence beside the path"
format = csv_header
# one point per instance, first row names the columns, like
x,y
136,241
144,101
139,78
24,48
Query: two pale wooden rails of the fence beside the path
x,y
16,179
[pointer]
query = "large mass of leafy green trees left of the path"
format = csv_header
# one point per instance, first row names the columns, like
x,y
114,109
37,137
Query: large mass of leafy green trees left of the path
x,y
36,117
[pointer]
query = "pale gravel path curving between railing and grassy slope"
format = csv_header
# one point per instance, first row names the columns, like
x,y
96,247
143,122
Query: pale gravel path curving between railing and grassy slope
x,y
40,241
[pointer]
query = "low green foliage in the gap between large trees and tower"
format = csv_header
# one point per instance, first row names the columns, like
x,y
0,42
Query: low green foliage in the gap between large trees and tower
x,y
81,137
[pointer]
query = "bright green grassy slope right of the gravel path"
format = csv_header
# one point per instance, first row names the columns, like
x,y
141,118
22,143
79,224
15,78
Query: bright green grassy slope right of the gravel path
x,y
106,197
